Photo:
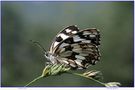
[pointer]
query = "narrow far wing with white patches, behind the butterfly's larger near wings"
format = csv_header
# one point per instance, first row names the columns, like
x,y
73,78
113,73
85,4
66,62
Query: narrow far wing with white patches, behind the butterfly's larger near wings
x,y
62,35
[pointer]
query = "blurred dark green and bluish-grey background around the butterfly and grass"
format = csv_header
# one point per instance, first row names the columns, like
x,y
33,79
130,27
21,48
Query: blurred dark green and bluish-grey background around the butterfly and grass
x,y
22,61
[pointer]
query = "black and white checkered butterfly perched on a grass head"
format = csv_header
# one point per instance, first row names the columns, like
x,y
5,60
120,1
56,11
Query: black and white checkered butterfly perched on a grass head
x,y
75,48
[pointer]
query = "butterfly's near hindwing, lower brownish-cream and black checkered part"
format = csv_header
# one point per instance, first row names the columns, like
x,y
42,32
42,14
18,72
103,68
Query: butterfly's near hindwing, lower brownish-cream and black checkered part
x,y
82,54
